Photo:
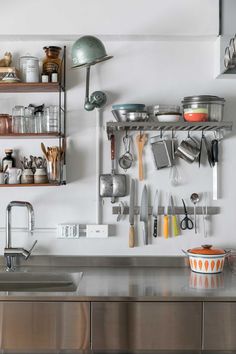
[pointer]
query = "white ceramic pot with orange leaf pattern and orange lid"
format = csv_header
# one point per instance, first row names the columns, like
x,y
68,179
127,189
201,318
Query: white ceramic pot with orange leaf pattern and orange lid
x,y
206,259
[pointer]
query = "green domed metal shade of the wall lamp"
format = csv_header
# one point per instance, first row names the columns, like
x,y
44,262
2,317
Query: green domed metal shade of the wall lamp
x,y
88,50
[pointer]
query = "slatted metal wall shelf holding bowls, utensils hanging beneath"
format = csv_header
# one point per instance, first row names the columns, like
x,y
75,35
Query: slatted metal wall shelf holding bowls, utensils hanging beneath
x,y
113,127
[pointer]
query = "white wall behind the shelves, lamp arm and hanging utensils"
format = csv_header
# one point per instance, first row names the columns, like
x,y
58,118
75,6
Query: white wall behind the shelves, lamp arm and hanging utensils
x,y
149,72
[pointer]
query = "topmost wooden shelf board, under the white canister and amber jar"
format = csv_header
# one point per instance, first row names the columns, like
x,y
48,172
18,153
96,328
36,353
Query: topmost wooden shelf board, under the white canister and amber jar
x,y
30,87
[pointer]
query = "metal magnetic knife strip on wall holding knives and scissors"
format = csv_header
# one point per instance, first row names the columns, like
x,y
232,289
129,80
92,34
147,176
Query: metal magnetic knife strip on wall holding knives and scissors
x,y
178,210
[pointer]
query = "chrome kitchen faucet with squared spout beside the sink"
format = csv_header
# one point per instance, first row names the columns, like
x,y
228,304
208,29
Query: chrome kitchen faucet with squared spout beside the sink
x,y
9,251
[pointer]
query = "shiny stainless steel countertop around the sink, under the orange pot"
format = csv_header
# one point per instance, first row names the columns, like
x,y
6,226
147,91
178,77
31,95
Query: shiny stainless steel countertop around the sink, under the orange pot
x,y
136,284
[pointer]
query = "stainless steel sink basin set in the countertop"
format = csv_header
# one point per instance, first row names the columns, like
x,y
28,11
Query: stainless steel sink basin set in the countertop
x,y
40,281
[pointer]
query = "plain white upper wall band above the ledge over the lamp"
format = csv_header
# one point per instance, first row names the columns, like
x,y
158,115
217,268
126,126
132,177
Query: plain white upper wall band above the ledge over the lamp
x,y
109,17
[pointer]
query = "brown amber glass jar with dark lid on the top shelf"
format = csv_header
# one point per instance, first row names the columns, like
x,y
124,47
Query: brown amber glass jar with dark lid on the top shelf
x,y
52,62
